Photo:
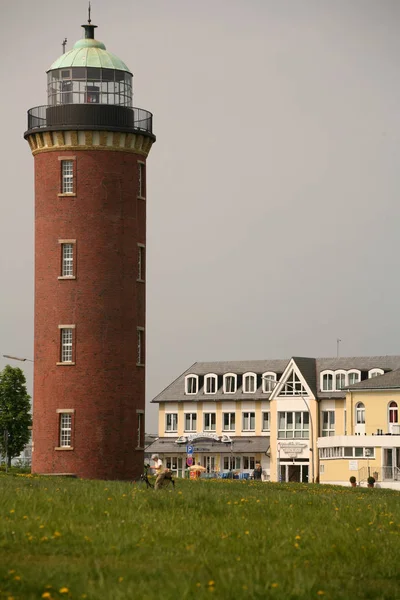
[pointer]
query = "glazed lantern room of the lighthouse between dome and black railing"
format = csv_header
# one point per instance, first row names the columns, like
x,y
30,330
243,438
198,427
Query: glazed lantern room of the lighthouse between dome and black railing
x,y
89,85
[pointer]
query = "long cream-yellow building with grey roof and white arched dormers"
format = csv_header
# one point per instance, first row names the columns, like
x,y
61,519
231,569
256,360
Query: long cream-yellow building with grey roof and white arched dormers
x,y
304,419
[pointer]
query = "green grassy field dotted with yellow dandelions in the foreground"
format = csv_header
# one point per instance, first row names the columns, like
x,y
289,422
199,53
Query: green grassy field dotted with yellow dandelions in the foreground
x,y
65,538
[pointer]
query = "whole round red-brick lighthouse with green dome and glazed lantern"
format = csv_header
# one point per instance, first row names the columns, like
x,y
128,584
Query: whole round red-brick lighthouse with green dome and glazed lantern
x,y
90,148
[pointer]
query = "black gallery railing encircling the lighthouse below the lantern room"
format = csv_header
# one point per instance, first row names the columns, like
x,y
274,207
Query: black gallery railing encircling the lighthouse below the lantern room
x,y
86,116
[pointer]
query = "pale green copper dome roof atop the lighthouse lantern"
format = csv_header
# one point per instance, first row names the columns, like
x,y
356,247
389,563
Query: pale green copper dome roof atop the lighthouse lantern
x,y
89,53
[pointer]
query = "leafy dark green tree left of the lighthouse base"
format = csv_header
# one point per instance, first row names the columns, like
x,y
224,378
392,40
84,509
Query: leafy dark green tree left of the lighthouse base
x,y
15,416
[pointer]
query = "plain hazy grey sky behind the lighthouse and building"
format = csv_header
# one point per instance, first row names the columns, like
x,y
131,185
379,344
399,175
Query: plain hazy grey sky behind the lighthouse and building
x,y
272,189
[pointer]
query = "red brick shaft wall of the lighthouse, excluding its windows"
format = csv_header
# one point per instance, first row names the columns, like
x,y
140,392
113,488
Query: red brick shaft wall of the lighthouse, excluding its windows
x,y
105,387
